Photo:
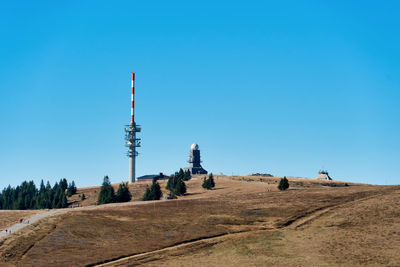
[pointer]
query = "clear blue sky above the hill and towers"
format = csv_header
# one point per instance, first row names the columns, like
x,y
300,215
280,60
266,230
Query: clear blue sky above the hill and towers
x,y
284,87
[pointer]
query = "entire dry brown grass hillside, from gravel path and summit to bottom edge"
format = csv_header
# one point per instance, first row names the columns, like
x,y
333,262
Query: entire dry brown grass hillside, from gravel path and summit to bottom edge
x,y
240,222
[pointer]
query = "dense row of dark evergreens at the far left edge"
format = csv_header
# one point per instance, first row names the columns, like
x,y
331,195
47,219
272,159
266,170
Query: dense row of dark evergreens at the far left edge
x,y
27,196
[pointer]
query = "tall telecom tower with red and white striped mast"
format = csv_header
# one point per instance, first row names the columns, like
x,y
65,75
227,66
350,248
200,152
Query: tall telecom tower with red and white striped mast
x,y
131,141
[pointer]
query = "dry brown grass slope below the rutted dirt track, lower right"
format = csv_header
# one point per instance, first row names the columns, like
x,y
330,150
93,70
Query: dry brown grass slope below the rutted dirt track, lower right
x,y
364,232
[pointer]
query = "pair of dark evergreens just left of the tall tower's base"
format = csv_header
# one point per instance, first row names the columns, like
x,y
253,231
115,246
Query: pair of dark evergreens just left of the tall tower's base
x,y
107,193
